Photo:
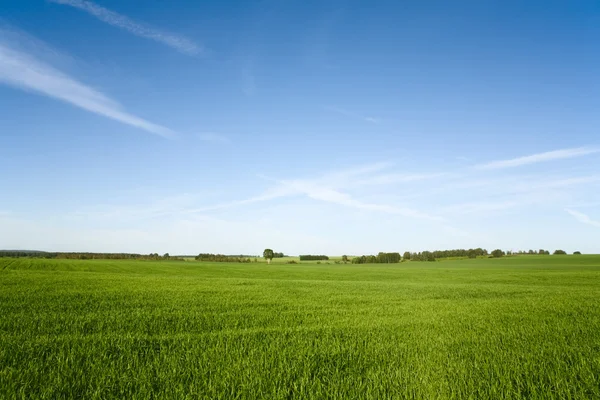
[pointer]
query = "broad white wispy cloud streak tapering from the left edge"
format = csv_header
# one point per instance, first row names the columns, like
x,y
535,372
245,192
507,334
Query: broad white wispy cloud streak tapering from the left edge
x,y
24,71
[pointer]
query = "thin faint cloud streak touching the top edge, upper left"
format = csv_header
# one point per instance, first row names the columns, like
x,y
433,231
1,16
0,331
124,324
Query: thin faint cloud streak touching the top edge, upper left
x,y
176,42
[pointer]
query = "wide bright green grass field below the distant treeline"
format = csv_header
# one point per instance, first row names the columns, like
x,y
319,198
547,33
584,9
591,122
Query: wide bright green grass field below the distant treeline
x,y
514,328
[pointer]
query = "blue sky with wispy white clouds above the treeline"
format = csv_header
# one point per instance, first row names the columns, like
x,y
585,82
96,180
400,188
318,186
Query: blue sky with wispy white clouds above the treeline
x,y
309,127
